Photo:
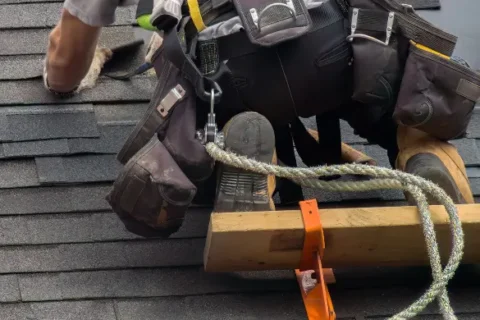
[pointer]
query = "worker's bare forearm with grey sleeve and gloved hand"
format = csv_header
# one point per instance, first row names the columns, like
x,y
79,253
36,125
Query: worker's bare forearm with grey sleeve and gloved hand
x,y
72,47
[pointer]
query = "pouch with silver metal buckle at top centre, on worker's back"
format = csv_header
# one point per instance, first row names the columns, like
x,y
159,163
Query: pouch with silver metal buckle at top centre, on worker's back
x,y
268,23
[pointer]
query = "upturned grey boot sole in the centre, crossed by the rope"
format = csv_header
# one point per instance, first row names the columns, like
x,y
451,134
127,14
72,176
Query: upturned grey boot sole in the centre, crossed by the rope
x,y
248,134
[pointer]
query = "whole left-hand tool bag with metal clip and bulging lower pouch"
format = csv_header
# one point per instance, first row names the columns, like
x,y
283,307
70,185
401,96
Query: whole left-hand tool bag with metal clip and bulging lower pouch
x,y
163,159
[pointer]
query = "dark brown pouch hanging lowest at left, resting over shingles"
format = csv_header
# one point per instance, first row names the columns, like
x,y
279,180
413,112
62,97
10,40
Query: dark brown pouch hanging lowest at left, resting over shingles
x,y
152,194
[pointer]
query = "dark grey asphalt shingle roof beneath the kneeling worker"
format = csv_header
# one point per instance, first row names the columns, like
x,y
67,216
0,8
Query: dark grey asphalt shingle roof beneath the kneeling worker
x,y
64,255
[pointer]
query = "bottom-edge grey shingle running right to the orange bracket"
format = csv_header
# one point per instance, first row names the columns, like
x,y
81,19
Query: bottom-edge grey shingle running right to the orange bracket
x,y
253,306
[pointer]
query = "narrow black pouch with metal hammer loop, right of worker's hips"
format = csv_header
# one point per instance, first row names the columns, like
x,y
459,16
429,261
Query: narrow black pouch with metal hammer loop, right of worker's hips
x,y
378,58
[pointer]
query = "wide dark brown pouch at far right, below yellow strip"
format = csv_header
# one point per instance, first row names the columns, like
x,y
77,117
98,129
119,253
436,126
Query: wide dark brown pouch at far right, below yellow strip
x,y
437,95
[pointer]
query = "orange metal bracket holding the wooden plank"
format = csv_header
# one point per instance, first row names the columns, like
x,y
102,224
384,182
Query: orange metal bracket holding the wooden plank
x,y
317,300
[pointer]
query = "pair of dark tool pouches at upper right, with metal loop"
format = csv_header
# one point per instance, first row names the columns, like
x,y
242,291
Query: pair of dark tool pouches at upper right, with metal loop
x,y
419,84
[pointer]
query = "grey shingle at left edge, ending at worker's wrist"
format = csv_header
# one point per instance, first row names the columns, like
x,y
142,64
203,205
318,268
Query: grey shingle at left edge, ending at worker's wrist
x,y
20,67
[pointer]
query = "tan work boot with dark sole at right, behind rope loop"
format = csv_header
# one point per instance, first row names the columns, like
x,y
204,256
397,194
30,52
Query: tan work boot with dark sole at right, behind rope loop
x,y
434,160
